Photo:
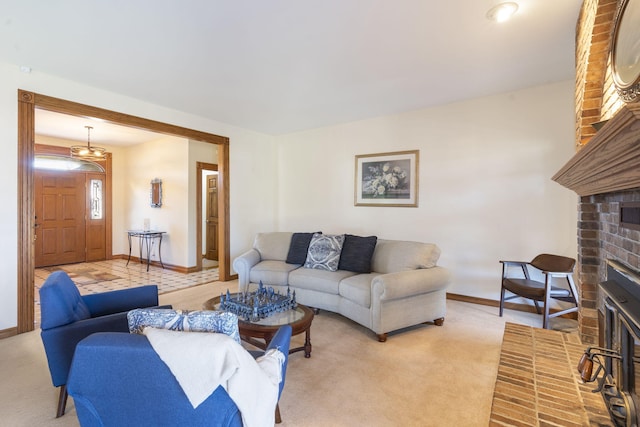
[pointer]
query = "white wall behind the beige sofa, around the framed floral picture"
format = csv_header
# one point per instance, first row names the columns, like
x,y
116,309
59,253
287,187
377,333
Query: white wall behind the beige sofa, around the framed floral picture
x,y
485,192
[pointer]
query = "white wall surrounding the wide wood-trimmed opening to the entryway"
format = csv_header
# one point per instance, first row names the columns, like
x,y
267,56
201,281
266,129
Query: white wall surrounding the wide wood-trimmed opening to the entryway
x,y
251,155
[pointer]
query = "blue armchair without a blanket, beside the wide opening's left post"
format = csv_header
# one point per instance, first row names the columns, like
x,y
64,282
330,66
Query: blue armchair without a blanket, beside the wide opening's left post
x,y
67,317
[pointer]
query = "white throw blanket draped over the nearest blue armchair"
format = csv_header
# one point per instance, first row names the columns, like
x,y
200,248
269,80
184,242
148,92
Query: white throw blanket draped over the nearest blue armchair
x,y
203,361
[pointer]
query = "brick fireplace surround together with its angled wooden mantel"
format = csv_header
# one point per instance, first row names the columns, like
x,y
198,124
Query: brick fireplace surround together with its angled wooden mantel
x,y
605,174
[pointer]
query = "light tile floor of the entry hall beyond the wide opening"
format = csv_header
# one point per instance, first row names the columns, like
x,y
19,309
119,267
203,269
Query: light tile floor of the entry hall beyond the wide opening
x,y
90,277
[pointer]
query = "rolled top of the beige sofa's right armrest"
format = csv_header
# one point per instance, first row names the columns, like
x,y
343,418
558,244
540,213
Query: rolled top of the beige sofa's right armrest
x,y
408,283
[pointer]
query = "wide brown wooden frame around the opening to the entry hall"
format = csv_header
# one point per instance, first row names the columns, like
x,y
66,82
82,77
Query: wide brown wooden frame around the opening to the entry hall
x,y
27,103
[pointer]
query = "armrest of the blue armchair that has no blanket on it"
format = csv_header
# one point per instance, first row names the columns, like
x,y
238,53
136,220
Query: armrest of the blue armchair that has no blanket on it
x,y
121,300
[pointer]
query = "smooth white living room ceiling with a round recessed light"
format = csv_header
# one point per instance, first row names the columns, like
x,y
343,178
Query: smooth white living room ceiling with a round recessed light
x,y
281,66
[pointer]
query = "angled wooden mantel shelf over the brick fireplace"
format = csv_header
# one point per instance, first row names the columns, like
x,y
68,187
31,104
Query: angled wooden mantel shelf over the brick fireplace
x,y
610,161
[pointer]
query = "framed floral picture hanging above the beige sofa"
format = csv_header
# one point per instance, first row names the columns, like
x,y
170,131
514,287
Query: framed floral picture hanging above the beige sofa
x,y
387,179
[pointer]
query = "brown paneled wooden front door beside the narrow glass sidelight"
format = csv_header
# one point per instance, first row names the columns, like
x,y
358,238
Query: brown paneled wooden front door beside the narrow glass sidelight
x,y
60,218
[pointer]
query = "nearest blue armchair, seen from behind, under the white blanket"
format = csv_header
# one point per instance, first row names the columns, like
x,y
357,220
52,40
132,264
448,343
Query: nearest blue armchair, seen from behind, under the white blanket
x,y
119,380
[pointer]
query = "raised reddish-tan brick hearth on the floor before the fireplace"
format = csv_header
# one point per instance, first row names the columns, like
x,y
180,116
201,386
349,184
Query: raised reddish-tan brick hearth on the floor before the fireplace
x,y
538,384
